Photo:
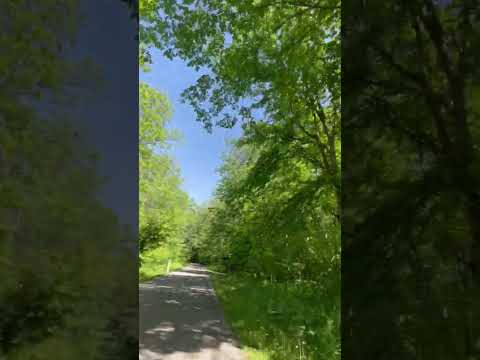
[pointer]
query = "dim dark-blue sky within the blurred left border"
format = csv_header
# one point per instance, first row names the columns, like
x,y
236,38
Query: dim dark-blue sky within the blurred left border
x,y
105,114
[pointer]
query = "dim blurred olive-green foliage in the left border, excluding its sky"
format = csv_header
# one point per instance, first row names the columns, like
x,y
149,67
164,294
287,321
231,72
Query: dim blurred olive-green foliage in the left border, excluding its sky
x,y
62,259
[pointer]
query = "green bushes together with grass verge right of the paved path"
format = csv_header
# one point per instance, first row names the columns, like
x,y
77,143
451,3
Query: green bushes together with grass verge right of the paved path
x,y
279,249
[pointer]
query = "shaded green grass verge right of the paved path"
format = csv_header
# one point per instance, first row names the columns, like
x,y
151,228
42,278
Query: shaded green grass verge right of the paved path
x,y
281,321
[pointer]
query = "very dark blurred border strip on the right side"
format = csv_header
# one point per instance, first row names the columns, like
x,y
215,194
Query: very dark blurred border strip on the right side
x,y
411,171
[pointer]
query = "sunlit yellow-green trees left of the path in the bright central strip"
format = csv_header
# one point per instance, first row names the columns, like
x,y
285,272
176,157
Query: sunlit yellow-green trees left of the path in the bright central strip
x,y
164,208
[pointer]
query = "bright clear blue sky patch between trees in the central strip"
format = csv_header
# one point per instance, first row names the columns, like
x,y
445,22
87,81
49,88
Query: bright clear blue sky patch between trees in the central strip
x,y
199,153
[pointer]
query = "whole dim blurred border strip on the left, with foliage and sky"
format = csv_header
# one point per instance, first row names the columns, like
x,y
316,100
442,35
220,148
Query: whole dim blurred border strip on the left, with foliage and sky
x,y
69,179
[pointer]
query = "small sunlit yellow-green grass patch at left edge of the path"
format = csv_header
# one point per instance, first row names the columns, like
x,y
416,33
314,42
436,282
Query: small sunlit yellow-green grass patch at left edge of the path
x,y
155,262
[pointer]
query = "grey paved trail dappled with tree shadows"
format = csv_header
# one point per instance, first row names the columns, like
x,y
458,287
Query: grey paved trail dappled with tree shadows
x,y
181,319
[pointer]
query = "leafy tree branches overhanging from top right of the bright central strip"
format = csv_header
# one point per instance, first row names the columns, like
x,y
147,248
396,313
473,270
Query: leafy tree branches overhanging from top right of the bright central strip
x,y
280,57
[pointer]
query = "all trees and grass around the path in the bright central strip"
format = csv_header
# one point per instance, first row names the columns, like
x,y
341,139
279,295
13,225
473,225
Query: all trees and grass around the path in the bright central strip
x,y
272,228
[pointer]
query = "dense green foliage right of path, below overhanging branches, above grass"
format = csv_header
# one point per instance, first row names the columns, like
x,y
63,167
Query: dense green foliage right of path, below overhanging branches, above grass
x,y
276,225
